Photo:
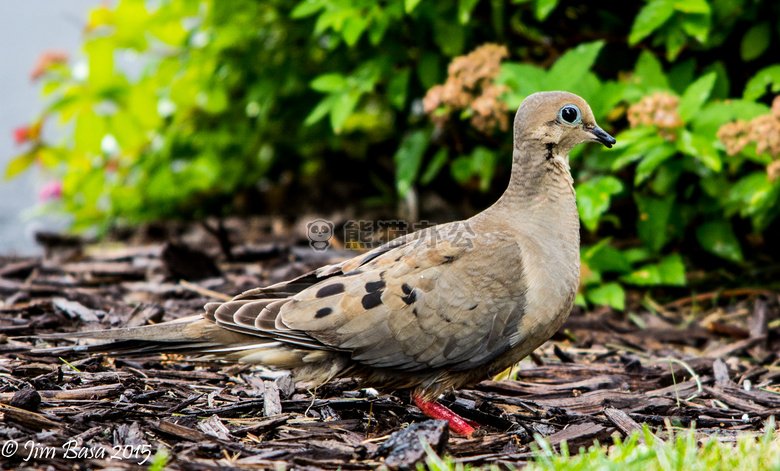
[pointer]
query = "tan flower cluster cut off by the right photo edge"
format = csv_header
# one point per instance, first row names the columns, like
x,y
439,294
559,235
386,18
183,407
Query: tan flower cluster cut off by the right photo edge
x,y
763,131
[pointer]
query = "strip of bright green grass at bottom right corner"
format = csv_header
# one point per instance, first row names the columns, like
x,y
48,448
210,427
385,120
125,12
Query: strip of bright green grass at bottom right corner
x,y
682,451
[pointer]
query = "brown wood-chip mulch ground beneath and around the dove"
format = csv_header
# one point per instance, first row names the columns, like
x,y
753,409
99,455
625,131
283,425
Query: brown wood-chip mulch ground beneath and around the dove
x,y
709,360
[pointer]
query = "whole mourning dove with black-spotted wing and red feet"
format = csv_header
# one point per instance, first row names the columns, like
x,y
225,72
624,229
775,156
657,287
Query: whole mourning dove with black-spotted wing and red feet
x,y
439,308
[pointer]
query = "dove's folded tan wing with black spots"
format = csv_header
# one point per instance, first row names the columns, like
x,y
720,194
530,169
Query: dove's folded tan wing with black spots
x,y
432,302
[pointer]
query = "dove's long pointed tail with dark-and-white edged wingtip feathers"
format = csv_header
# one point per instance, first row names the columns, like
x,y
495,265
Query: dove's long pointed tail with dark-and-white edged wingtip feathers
x,y
247,329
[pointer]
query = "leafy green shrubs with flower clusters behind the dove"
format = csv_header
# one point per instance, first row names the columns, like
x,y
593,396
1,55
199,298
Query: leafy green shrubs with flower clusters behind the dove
x,y
256,106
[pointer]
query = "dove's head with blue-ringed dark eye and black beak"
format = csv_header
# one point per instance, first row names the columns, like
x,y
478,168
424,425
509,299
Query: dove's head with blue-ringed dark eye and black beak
x,y
557,120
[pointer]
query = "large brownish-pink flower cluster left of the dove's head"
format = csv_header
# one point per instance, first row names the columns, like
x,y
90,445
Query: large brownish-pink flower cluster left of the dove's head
x,y
470,86
